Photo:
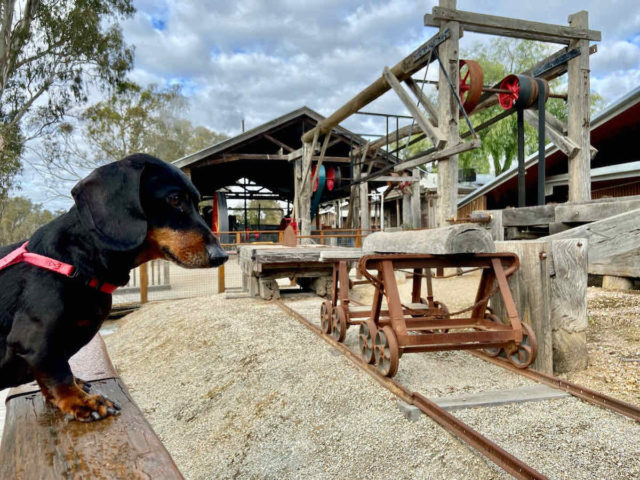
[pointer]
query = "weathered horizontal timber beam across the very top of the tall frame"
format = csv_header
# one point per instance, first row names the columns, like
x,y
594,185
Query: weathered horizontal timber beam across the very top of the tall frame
x,y
510,27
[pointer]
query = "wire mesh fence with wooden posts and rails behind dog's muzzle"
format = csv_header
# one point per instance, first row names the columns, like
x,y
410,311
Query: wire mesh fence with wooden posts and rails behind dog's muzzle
x,y
162,280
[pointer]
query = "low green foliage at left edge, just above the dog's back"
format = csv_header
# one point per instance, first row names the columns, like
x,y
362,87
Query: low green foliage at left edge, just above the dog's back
x,y
19,218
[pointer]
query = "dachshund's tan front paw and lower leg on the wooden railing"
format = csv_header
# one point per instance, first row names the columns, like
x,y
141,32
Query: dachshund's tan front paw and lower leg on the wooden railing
x,y
61,390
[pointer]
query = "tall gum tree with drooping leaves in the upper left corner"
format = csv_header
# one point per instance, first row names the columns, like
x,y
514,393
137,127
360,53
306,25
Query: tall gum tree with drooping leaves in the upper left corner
x,y
51,52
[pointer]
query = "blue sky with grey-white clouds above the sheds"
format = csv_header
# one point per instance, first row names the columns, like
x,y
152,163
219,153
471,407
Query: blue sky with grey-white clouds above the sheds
x,y
255,60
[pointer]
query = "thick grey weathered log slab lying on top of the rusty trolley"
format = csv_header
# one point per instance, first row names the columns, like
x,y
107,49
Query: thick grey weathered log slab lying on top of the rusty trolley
x,y
455,239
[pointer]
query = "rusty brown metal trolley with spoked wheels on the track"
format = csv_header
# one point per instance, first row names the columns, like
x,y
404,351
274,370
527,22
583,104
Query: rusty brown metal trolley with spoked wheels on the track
x,y
424,324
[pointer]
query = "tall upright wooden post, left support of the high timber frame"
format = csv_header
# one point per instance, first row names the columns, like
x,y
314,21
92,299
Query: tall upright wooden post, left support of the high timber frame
x,y
448,120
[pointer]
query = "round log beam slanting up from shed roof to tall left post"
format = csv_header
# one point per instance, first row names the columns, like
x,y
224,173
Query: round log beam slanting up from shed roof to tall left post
x,y
402,70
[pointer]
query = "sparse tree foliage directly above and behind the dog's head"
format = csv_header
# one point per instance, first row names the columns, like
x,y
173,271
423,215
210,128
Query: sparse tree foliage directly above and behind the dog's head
x,y
133,119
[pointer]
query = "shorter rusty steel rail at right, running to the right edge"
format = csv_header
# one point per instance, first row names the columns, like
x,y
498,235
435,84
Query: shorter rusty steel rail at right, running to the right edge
x,y
584,393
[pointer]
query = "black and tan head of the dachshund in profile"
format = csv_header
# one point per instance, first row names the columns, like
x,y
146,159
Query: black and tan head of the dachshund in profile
x,y
142,203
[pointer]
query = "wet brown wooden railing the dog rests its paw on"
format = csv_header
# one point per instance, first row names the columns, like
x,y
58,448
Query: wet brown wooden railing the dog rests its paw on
x,y
38,442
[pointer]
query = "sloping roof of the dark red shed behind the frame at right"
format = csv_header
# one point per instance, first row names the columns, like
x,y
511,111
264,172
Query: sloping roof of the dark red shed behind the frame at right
x,y
605,121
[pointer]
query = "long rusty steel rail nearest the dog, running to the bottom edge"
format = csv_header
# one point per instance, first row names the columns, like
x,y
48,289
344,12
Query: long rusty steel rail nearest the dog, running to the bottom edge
x,y
460,430
